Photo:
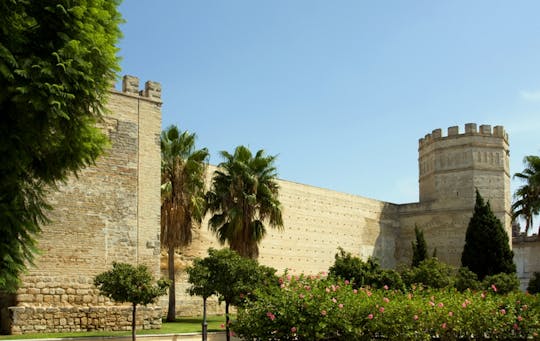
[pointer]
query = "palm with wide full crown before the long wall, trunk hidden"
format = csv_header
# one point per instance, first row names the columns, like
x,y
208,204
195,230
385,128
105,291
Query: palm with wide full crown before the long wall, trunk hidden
x,y
244,195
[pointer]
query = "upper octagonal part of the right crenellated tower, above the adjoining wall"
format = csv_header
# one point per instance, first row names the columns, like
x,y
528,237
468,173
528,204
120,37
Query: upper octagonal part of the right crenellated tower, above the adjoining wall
x,y
452,167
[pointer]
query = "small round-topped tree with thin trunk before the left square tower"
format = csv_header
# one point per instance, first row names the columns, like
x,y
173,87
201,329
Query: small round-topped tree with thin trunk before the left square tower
x,y
127,283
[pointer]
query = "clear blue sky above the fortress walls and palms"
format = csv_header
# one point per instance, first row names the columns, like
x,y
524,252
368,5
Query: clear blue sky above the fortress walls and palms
x,y
341,91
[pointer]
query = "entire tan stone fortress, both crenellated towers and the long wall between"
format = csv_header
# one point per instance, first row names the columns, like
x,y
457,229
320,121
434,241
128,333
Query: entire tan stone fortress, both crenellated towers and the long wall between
x,y
111,213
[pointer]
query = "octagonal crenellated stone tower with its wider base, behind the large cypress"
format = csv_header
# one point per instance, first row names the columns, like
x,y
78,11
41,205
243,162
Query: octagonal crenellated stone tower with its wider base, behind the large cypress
x,y
451,168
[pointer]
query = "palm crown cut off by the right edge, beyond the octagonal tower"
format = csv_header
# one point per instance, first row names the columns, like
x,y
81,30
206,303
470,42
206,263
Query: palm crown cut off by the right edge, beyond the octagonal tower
x,y
527,197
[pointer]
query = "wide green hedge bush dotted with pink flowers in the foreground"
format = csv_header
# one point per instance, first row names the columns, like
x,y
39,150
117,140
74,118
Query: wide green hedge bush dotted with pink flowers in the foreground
x,y
320,308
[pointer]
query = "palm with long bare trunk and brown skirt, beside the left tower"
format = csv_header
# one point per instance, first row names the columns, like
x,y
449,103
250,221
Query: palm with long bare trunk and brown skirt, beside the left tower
x,y
183,173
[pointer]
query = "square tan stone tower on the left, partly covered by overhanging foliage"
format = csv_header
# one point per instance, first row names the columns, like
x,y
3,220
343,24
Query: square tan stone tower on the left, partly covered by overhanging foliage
x,y
109,213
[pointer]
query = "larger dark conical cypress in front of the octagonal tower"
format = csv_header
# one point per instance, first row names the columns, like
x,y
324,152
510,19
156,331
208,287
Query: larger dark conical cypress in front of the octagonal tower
x,y
487,248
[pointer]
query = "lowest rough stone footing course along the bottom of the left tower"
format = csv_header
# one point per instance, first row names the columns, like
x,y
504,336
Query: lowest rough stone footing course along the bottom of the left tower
x,y
74,319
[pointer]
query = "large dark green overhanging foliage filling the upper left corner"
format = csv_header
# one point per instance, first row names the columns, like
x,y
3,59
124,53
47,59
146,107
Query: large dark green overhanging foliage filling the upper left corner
x,y
57,61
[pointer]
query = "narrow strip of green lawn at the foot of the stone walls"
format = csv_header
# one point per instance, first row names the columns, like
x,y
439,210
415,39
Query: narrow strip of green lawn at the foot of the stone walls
x,y
182,325
